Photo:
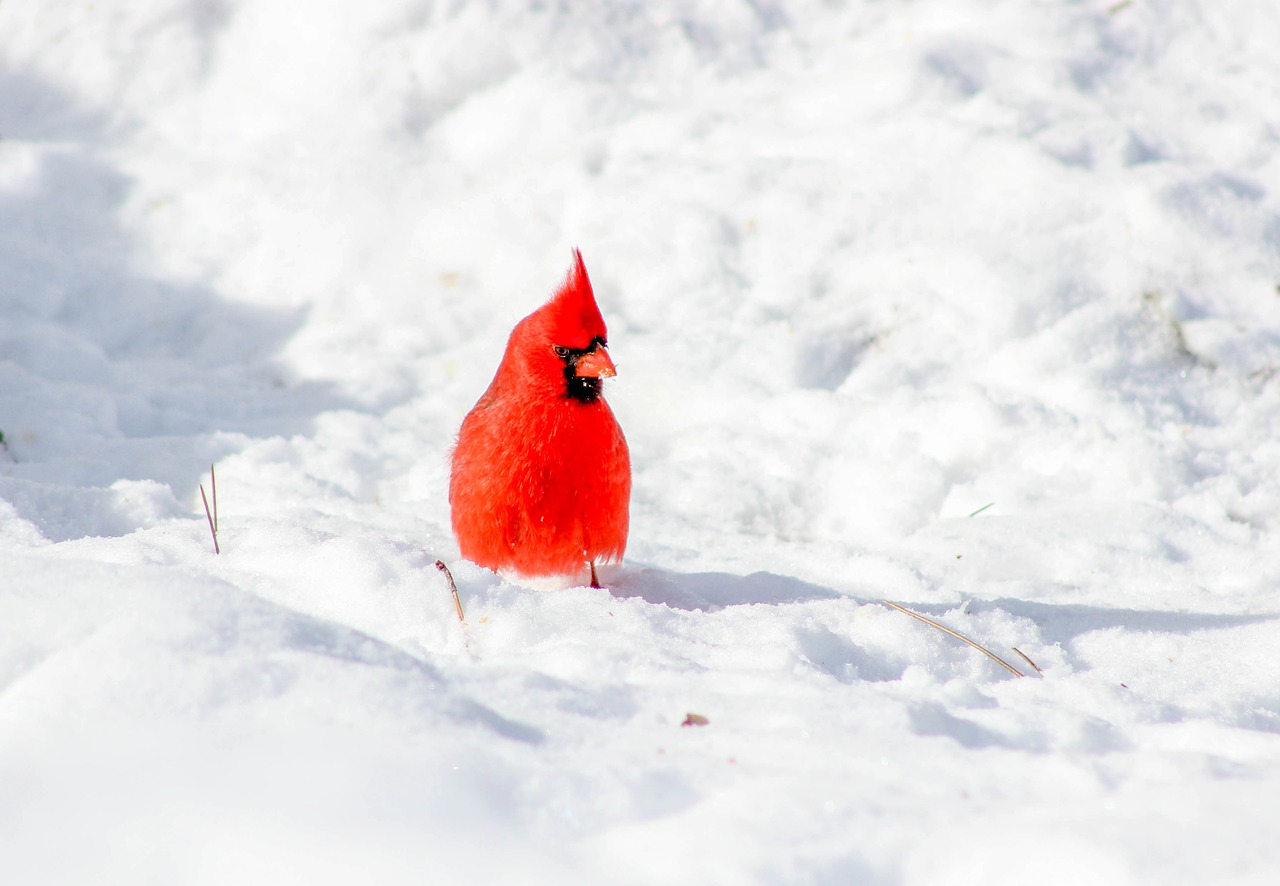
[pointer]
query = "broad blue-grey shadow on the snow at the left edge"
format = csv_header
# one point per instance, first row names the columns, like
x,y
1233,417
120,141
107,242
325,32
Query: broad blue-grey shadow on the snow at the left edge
x,y
107,373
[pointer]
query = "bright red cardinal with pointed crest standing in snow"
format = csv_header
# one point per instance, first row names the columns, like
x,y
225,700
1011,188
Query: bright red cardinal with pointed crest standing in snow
x,y
542,476
